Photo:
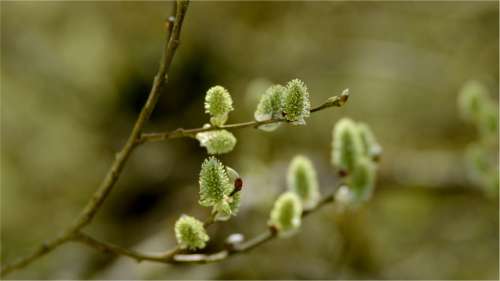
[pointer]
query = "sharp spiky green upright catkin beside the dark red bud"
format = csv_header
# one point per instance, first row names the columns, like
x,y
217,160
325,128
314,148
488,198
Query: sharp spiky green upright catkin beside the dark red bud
x,y
214,183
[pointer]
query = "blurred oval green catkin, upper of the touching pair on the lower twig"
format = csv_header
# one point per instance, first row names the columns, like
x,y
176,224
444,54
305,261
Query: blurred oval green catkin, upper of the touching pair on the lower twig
x,y
302,180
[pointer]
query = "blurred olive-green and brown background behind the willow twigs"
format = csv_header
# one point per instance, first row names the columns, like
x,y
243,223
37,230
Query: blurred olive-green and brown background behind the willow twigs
x,y
74,76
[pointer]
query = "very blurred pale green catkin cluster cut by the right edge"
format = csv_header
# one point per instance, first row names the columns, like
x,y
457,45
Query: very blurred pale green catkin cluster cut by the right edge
x,y
478,108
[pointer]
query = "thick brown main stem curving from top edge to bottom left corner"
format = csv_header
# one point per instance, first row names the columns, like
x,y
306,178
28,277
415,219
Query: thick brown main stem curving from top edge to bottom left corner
x,y
88,213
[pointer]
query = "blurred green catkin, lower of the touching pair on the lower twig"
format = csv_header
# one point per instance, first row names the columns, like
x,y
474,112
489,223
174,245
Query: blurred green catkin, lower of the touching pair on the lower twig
x,y
286,214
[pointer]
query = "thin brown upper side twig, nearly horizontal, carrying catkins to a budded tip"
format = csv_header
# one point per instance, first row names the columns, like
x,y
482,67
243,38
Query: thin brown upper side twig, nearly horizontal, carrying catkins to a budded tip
x,y
335,101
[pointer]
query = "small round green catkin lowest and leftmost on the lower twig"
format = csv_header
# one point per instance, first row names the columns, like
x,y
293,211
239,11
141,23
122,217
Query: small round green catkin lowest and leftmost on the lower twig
x,y
190,233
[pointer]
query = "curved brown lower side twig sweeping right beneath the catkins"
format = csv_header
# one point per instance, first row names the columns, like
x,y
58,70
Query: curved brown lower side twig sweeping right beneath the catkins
x,y
174,255
